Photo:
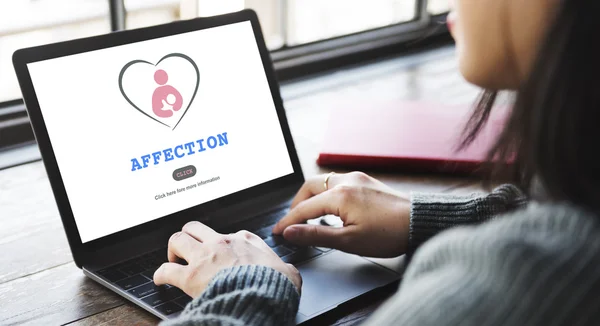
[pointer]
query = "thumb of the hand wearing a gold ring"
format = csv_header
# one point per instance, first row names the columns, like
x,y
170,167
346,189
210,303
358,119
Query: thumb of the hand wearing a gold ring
x,y
317,235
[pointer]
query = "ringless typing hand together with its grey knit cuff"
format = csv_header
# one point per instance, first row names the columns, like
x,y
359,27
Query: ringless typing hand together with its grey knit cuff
x,y
236,278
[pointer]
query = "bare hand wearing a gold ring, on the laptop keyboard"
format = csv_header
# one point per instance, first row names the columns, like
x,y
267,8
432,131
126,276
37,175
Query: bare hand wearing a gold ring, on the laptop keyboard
x,y
376,218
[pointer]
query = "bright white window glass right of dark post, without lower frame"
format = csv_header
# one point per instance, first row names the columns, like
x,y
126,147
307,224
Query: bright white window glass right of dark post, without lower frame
x,y
287,23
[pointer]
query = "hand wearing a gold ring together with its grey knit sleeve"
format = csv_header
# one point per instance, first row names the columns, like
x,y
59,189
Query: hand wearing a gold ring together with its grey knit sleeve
x,y
379,221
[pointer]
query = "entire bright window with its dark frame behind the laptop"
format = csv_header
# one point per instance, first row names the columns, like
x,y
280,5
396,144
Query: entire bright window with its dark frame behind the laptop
x,y
304,36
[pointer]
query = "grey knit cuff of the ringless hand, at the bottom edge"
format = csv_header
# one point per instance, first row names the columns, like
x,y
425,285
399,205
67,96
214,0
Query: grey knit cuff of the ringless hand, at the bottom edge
x,y
243,295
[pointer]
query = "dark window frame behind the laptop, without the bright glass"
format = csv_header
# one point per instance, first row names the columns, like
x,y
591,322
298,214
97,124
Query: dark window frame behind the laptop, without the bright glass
x,y
289,62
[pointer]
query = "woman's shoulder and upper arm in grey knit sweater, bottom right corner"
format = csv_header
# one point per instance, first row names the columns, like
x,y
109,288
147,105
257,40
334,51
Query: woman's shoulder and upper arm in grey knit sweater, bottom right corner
x,y
537,265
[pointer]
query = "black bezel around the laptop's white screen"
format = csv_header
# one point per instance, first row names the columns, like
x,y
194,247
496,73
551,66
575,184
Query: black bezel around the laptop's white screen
x,y
34,54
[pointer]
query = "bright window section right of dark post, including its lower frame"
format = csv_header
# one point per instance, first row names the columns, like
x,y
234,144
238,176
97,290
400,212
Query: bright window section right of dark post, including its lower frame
x,y
309,35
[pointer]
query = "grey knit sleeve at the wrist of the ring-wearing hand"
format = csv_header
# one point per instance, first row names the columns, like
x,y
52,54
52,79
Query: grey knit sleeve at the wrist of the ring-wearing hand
x,y
433,213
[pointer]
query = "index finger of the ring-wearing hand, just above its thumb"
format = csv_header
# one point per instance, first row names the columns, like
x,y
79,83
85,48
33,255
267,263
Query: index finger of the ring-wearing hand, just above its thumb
x,y
317,206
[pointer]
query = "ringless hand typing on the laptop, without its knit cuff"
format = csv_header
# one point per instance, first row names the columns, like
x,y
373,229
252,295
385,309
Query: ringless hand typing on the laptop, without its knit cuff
x,y
207,252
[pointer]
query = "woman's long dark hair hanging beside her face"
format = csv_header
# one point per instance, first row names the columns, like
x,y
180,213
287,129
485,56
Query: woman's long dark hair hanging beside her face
x,y
555,120
